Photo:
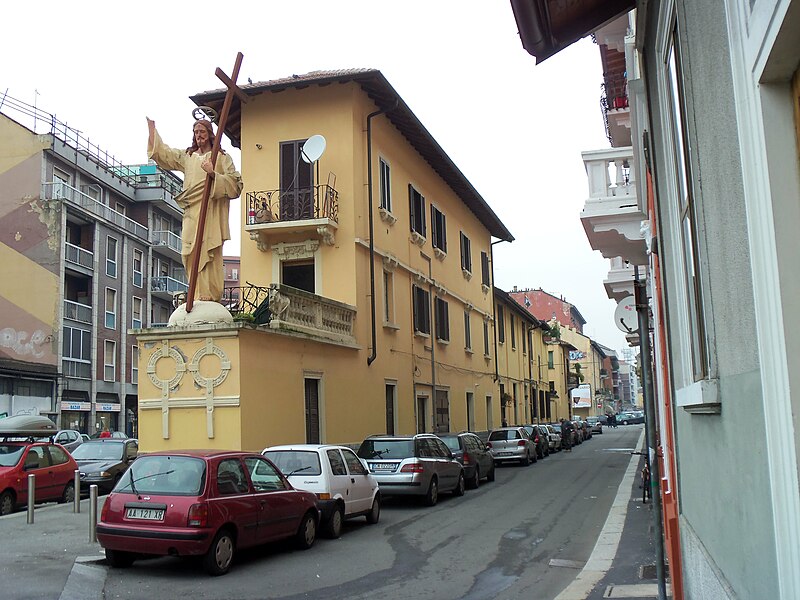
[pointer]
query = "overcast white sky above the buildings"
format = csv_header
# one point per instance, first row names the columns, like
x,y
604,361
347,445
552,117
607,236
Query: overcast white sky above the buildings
x,y
516,130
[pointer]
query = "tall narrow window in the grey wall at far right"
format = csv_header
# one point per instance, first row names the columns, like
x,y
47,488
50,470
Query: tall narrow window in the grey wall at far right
x,y
694,322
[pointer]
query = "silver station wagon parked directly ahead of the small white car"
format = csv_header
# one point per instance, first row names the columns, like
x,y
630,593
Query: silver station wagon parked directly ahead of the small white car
x,y
418,465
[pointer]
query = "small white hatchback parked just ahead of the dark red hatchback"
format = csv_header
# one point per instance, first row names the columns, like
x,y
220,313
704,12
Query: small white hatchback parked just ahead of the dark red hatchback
x,y
343,485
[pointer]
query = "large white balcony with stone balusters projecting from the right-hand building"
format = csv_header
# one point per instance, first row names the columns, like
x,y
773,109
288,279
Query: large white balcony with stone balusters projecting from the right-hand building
x,y
612,216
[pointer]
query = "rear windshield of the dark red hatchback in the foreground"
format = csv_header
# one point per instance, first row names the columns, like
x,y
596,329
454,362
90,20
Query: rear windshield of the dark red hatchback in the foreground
x,y
164,475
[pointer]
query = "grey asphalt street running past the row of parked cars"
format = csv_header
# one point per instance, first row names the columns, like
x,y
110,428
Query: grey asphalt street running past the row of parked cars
x,y
495,542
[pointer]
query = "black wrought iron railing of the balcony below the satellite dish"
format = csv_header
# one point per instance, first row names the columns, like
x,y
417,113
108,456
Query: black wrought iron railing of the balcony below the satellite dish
x,y
276,206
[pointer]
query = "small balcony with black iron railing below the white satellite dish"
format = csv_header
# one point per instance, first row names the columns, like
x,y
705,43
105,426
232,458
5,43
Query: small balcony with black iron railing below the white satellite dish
x,y
273,214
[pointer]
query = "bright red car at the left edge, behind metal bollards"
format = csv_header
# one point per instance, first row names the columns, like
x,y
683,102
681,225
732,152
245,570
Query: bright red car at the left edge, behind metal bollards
x,y
53,466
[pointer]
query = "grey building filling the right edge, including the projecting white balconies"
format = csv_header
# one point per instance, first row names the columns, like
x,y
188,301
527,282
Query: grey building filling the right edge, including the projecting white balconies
x,y
699,194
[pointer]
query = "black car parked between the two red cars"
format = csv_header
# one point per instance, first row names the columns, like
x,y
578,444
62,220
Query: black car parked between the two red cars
x,y
102,462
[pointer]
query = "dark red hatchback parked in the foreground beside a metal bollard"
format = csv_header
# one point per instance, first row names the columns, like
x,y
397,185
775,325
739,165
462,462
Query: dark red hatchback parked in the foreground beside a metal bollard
x,y
203,502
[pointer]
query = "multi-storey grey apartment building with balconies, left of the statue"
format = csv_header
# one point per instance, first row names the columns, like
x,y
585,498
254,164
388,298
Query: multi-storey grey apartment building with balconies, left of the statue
x,y
90,251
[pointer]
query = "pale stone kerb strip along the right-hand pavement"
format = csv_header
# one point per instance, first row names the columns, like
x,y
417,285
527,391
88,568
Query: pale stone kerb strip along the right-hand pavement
x,y
607,543
